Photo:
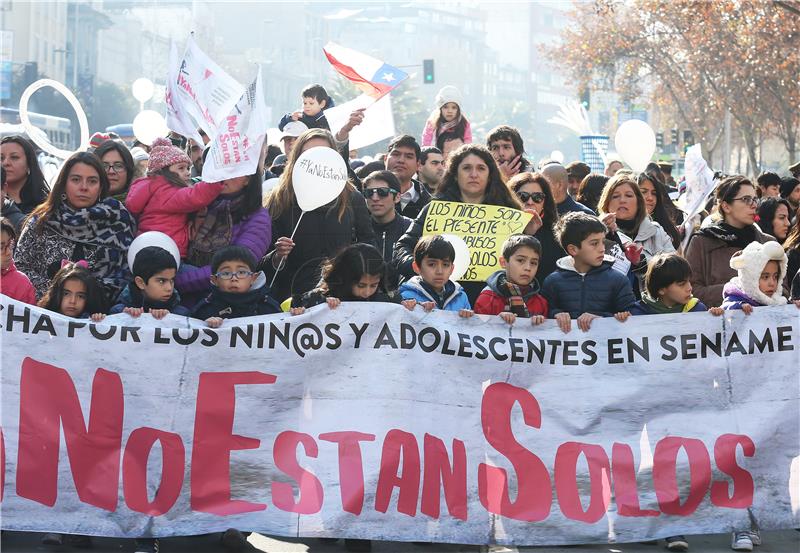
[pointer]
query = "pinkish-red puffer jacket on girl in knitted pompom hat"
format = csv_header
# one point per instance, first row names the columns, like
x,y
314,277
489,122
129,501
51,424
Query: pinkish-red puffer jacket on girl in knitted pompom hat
x,y
160,205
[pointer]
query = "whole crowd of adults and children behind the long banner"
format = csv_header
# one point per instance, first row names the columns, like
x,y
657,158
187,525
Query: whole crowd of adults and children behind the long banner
x,y
597,245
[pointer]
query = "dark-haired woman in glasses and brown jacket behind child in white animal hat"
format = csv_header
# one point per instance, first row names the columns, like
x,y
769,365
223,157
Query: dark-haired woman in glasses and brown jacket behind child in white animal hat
x,y
710,250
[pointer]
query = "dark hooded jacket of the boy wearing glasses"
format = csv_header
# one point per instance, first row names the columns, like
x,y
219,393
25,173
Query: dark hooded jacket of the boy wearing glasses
x,y
230,305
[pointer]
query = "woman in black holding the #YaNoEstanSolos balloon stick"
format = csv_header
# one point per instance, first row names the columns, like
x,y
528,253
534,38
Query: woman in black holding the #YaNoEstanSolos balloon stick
x,y
322,233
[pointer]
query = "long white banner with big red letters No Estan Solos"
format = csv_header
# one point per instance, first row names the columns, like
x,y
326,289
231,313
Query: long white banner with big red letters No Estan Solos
x,y
370,421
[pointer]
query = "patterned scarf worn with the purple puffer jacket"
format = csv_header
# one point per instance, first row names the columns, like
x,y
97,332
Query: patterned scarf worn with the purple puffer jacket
x,y
215,230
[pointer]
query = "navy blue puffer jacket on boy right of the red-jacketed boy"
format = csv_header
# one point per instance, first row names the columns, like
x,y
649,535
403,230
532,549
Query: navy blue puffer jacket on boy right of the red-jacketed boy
x,y
602,291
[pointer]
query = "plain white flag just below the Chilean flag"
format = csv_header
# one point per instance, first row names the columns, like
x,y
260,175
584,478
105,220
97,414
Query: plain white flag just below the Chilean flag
x,y
378,120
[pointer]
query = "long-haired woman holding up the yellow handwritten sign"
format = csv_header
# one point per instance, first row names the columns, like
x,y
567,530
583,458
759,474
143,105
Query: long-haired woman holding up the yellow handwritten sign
x,y
473,177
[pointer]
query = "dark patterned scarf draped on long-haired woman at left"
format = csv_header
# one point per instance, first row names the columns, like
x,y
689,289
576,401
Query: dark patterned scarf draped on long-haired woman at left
x,y
106,227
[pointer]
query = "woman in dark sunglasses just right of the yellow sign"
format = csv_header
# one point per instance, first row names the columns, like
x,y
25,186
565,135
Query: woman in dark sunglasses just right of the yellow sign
x,y
533,191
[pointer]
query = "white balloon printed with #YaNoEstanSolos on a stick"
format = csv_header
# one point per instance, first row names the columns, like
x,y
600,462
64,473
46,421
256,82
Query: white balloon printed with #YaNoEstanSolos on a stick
x,y
318,177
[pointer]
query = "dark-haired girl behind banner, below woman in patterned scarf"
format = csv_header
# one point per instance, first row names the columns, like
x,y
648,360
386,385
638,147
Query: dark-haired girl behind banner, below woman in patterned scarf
x,y
74,292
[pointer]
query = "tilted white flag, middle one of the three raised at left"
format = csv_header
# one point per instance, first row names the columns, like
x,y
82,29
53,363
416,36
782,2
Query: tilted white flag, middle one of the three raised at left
x,y
204,89
